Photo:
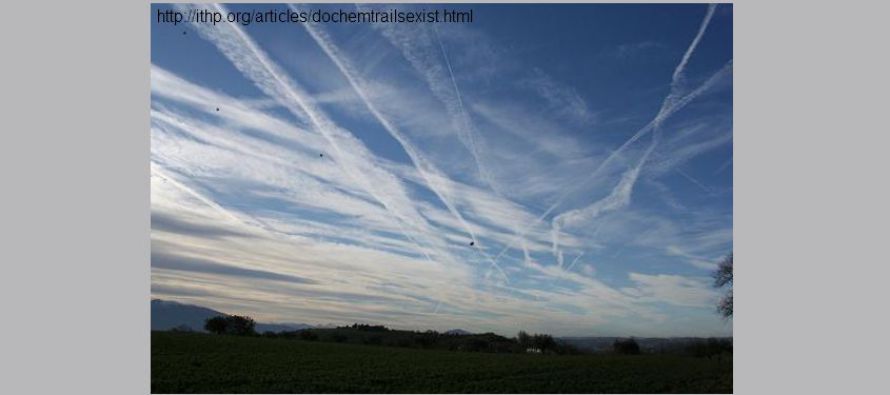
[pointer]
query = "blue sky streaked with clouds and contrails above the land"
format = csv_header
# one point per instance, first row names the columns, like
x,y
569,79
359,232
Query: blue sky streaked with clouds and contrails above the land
x,y
561,169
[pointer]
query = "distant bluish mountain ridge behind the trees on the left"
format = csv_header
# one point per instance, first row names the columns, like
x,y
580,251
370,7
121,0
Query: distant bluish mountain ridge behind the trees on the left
x,y
167,315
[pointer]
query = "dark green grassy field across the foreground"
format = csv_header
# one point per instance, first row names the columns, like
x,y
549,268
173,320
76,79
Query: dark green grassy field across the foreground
x,y
189,363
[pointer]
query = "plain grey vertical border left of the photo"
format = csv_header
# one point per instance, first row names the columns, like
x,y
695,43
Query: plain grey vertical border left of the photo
x,y
75,204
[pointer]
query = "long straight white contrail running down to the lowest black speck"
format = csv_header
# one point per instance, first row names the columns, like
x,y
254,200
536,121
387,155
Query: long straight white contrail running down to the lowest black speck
x,y
423,166
